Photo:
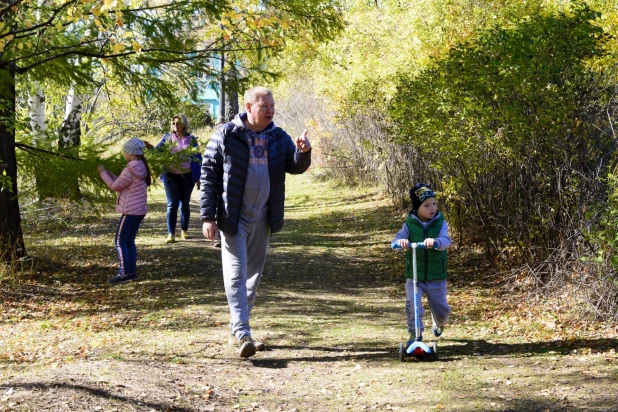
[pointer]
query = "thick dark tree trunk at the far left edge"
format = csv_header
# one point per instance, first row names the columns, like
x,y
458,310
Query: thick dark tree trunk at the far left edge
x,y
11,237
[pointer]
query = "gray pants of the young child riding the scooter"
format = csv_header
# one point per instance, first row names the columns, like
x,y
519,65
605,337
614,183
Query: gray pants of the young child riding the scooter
x,y
435,291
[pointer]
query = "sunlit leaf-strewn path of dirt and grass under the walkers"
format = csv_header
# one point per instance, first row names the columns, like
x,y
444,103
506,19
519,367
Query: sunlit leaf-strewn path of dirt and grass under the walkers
x,y
330,309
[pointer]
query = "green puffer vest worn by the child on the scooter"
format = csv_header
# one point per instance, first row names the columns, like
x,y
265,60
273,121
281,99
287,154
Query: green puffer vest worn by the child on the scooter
x,y
431,264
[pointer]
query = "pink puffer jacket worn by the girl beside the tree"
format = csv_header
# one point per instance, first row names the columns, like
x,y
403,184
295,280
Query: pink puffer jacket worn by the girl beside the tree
x,y
131,187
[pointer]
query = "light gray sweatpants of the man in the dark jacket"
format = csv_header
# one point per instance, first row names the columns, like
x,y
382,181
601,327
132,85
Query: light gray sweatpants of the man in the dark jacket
x,y
243,256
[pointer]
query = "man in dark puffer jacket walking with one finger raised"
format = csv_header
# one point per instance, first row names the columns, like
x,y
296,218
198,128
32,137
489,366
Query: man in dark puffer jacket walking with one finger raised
x,y
242,196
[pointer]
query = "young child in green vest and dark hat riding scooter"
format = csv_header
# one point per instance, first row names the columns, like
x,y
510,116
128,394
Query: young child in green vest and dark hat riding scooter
x,y
425,224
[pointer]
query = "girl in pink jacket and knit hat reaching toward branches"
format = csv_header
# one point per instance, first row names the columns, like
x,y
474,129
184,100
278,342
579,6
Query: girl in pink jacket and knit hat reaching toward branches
x,y
131,186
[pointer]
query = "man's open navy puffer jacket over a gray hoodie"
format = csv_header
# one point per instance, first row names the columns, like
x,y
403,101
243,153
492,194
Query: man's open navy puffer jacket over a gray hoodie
x,y
224,169
